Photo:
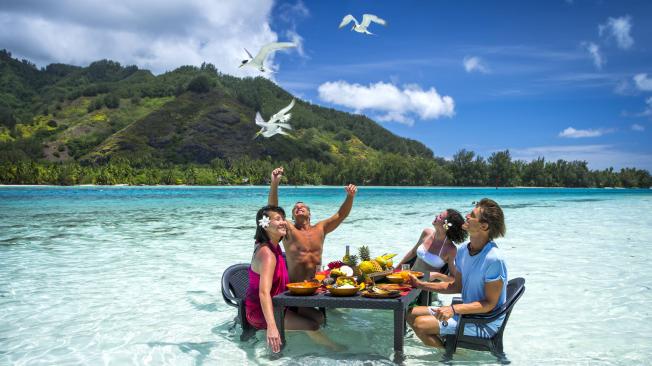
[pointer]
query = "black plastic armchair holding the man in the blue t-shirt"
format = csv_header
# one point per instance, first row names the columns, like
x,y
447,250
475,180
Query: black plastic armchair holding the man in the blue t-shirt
x,y
515,289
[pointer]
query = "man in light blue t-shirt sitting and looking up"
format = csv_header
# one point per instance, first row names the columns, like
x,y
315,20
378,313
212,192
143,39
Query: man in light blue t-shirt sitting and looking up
x,y
480,276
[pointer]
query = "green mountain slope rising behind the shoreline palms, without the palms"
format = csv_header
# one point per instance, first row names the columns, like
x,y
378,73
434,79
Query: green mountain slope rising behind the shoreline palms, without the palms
x,y
190,115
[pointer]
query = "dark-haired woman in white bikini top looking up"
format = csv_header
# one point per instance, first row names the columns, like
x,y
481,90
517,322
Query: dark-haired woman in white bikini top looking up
x,y
435,248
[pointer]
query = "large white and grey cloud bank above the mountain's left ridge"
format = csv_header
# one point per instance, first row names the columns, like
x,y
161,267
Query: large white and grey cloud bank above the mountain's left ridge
x,y
154,35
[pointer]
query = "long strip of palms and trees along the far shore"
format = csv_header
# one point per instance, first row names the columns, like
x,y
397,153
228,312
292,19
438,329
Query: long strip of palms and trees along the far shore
x,y
465,169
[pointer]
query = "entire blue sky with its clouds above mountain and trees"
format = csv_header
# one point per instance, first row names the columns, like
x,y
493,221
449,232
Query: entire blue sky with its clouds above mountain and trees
x,y
559,79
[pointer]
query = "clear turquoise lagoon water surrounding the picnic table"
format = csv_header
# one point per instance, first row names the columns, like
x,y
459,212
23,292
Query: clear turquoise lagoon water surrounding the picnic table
x,y
131,275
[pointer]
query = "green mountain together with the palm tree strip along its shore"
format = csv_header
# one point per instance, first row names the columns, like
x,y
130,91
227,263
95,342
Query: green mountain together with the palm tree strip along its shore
x,y
113,124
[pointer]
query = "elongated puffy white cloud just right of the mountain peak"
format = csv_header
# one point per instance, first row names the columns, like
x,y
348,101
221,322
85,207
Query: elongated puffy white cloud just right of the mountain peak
x,y
393,103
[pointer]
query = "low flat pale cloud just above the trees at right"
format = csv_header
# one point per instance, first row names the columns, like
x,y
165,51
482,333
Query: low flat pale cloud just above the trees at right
x,y
598,156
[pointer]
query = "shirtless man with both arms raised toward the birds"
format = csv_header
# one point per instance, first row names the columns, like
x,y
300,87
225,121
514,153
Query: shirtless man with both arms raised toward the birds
x,y
304,242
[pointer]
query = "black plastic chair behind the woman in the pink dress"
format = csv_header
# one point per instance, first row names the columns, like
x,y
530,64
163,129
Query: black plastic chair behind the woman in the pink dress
x,y
235,281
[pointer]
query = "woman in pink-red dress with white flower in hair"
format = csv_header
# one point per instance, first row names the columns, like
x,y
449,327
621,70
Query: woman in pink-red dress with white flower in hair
x,y
268,277
